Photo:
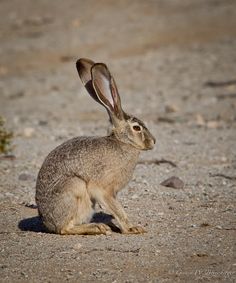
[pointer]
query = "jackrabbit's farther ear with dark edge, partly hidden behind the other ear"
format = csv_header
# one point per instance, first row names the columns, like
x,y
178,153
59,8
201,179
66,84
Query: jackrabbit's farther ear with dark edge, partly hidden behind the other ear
x,y
84,66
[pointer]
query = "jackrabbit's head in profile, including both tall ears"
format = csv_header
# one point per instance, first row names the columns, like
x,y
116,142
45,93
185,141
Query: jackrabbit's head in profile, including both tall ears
x,y
102,87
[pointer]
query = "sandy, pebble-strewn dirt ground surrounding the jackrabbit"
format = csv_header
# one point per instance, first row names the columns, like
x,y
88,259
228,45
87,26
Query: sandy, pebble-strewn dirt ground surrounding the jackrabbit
x,y
174,62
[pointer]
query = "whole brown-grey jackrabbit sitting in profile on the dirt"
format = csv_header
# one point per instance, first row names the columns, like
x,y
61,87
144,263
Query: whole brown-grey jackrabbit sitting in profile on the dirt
x,y
86,170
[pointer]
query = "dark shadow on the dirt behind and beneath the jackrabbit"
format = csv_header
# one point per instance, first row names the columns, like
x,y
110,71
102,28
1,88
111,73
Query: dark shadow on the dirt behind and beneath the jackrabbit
x,y
34,224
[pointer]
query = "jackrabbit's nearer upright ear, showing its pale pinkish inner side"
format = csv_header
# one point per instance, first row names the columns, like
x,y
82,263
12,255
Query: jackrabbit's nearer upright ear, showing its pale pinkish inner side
x,y
106,90
